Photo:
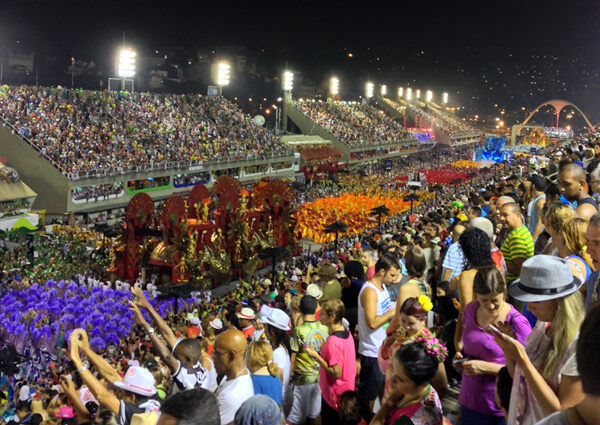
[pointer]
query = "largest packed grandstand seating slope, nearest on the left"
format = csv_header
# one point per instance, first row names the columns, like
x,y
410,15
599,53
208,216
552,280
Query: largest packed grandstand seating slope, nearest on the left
x,y
82,131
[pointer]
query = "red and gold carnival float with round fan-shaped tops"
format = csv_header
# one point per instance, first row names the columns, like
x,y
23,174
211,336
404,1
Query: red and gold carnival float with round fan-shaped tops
x,y
210,238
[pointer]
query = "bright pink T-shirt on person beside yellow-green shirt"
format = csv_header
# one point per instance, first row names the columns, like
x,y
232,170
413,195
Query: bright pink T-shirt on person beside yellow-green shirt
x,y
338,351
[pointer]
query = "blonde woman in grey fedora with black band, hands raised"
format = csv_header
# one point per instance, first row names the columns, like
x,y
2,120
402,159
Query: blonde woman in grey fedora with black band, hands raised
x,y
545,375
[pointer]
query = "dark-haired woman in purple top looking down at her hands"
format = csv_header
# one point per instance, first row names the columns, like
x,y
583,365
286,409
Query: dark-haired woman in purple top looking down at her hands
x,y
486,357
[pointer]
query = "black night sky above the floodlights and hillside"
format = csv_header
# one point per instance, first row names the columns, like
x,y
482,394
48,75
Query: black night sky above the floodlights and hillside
x,y
428,41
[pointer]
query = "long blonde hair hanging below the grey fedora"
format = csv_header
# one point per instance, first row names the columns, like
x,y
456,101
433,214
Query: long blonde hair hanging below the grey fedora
x,y
565,325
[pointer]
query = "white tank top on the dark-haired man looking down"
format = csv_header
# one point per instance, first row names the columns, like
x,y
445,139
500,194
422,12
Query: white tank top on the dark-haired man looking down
x,y
371,339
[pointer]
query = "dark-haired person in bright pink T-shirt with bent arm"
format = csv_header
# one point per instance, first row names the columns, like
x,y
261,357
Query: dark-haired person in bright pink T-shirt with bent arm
x,y
337,361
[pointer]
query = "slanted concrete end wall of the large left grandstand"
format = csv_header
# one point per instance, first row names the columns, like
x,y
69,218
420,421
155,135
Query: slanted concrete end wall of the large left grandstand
x,y
49,183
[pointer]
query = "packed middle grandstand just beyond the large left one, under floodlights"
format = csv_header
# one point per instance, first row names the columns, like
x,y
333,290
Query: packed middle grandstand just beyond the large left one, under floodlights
x,y
353,124
